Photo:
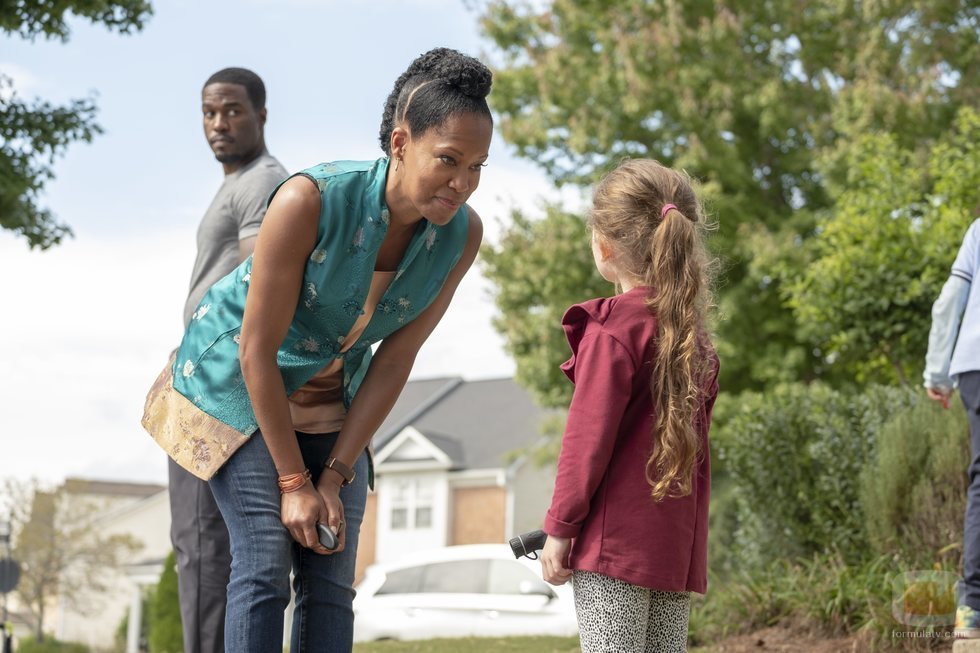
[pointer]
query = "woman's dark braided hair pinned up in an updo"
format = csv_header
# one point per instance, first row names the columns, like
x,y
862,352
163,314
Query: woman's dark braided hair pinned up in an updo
x,y
440,84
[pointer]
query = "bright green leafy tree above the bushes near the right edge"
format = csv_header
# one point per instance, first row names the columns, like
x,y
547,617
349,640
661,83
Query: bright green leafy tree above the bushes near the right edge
x,y
883,253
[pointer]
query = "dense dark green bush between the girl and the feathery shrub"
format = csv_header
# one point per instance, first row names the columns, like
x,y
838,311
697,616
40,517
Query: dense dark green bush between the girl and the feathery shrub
x,y
795,457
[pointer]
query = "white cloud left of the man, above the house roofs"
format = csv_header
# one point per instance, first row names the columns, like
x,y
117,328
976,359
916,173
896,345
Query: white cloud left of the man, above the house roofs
x,y
87,327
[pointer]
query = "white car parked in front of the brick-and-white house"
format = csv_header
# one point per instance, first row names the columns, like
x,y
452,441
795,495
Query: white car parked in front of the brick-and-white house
x,y
474,590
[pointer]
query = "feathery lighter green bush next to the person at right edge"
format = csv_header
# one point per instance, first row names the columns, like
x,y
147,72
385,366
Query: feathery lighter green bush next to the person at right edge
x,y
914,489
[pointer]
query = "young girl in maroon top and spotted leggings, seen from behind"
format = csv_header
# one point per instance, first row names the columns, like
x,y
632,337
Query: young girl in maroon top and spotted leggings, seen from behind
x,y
629,517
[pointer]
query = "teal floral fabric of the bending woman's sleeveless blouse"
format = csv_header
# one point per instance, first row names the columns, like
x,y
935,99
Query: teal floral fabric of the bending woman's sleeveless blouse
x,y
353,223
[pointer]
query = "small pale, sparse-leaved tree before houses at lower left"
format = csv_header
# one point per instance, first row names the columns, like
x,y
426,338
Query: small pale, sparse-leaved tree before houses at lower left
x,y
61,552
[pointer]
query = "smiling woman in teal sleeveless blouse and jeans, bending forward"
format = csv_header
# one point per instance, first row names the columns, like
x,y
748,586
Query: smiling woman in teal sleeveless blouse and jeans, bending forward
x,y
278,396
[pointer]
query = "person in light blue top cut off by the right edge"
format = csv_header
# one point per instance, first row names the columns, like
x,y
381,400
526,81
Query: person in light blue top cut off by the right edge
x,y
946,367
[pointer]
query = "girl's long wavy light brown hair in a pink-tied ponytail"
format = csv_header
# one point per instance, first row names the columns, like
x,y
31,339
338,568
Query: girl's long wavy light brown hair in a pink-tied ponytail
x,y
665,249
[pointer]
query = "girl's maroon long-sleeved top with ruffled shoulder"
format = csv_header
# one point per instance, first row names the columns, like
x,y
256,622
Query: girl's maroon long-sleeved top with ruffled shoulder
x,y
623,532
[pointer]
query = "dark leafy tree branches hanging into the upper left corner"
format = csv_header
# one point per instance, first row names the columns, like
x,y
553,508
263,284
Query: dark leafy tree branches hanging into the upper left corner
x,y
34,134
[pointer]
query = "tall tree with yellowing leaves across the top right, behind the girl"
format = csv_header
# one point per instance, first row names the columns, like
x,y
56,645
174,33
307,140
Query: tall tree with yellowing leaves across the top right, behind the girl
x,y
746,96
